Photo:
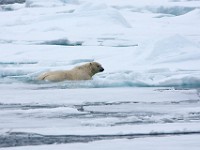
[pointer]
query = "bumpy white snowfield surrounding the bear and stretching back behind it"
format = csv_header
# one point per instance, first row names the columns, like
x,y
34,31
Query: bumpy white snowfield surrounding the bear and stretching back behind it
x,y
137,43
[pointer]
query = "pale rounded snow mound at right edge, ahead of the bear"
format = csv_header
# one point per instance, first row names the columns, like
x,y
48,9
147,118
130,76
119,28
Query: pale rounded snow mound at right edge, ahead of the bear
x,y
175,48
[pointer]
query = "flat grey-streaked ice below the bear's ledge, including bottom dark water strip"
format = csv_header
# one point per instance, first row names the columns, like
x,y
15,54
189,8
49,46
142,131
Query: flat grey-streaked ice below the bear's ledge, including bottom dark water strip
x,y
38,117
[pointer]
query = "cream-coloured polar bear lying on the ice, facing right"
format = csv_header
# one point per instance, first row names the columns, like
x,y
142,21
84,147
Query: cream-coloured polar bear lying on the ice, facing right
x,y
83,72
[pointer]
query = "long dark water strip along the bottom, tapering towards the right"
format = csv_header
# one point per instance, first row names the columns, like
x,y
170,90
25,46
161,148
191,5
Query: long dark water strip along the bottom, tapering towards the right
x,y
24,139
